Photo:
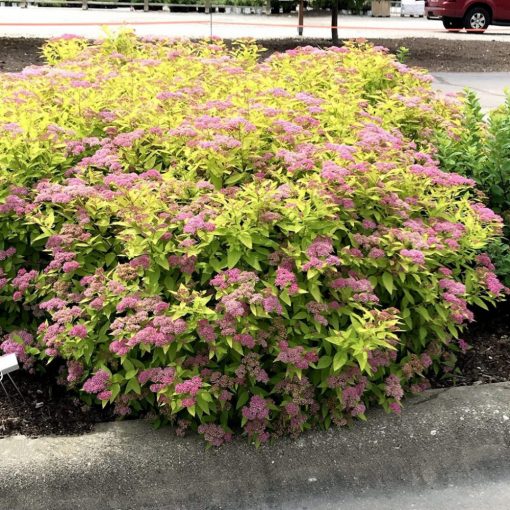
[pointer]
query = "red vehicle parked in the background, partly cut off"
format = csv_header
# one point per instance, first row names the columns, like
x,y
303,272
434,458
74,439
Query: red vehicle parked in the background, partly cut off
x,y
473,15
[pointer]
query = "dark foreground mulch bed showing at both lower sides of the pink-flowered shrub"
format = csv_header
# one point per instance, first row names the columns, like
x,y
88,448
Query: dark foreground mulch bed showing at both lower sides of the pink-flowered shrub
x,y
48,409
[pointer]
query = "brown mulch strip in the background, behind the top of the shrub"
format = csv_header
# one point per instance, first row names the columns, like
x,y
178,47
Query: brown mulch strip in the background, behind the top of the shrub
x,y
433,54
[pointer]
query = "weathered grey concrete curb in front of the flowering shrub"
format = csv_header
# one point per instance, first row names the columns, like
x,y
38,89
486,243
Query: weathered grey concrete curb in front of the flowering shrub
x,y
443,438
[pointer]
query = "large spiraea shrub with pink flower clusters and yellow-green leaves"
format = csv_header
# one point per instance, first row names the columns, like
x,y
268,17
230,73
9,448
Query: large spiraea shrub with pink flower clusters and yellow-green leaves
x,y
234,244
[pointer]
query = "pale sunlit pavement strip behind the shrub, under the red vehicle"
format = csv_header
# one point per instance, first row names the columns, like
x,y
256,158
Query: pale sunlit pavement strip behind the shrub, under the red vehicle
x,y
12,20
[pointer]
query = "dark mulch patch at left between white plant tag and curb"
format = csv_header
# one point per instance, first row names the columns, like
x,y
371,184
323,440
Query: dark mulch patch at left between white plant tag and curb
x,y
46,409
